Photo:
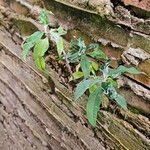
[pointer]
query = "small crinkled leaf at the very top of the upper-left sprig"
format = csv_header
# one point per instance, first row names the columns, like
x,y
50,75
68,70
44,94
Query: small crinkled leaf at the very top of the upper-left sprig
x,y
43,17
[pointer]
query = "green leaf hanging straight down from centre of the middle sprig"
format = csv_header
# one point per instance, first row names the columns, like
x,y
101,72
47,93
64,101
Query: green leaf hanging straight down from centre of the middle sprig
x,y
85,66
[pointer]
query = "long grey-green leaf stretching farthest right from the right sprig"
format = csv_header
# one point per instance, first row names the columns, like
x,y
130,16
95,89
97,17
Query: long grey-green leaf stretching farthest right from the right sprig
x,y
121,69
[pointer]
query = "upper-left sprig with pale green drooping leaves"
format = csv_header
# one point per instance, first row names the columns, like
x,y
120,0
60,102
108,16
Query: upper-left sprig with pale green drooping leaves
x,y
39,41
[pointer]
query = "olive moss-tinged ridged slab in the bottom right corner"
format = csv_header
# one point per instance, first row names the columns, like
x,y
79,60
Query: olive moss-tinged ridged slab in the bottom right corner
x,y
124,133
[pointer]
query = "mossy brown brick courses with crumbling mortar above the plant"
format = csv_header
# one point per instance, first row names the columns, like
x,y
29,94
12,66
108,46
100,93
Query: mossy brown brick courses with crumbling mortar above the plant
x,y
124,35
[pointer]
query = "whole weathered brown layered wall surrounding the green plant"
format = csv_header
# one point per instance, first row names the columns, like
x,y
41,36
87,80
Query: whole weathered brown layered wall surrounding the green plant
x,y
32,118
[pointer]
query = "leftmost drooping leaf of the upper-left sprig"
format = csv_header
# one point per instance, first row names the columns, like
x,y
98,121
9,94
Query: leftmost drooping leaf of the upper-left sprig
x,y
26,48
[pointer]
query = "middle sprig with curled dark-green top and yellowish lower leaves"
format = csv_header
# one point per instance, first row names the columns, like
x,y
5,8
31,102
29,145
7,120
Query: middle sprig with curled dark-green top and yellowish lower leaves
x,y
79,53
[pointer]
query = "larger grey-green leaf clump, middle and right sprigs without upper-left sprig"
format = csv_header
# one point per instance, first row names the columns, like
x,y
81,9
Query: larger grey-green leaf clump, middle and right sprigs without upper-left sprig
x,y
98,84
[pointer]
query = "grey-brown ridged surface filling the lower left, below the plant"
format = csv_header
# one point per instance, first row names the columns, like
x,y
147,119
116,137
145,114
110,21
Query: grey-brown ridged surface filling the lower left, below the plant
x,y
29,117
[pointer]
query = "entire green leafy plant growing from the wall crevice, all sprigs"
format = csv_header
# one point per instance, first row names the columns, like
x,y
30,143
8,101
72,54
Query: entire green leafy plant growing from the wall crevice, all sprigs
x,y
97,79
